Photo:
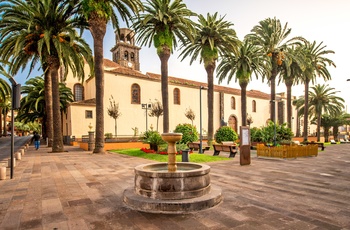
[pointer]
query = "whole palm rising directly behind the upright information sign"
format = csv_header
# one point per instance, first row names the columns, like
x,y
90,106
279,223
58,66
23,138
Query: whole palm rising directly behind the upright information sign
x,y
248,60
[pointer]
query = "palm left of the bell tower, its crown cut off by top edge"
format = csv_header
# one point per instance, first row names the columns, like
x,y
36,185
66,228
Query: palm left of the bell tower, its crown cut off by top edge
x,y
98,13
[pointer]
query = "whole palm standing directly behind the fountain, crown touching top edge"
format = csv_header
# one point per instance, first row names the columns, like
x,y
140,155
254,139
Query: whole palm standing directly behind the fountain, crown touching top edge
x,y
163,23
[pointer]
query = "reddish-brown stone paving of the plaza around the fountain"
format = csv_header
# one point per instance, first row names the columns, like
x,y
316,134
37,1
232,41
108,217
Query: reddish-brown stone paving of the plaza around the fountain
x,y
80,190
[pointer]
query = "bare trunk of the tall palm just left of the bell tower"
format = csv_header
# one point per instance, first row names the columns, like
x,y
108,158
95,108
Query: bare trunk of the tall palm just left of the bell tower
x,y
98,30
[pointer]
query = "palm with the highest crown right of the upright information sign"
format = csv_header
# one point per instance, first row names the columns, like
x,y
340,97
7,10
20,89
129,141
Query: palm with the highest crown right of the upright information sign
x,y
270,35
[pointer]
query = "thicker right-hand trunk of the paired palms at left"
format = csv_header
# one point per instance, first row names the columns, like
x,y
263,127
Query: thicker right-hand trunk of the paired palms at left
x,y
57,144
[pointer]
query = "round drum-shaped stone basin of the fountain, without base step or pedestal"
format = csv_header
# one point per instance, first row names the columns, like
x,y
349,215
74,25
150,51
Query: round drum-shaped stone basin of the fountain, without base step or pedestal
x,y
189,181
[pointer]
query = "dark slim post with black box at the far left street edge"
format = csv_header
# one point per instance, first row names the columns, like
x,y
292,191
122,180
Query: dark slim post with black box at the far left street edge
x,y
16,94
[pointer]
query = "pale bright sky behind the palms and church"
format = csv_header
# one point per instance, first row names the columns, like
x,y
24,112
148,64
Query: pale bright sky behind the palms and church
x,y
316,20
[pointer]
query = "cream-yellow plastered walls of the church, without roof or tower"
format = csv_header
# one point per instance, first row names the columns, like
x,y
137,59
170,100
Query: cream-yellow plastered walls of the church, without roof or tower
x,y
132,115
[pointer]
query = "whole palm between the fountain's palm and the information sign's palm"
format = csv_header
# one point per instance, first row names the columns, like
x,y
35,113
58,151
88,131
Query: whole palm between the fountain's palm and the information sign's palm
x,y
213,37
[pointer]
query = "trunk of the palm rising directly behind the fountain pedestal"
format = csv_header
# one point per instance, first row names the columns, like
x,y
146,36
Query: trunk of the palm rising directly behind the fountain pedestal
x,y
164,56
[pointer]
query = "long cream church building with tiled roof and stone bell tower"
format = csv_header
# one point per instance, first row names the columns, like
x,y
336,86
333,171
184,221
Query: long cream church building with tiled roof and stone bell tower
x,y
134,91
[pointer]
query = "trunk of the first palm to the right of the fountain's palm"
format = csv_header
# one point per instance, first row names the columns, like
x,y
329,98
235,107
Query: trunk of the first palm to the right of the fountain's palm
x,y
210,74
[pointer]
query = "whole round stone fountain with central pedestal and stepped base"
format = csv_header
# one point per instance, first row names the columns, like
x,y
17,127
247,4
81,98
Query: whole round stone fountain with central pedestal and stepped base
x,y
172,187
